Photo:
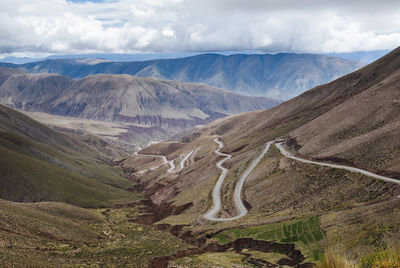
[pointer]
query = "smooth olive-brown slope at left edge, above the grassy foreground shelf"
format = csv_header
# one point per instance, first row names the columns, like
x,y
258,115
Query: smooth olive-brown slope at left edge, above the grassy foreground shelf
x,y
39,164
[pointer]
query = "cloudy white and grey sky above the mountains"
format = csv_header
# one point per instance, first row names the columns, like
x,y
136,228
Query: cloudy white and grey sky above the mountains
x,y
36,28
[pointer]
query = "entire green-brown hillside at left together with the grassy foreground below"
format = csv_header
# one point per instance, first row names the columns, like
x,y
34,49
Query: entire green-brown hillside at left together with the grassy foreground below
x,y
83,211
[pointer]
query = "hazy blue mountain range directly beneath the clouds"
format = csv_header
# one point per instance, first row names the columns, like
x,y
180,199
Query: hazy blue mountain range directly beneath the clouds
x,y
280,76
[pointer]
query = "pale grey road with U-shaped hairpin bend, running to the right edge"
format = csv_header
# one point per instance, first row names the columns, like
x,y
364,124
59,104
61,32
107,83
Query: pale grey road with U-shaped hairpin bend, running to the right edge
x,y
237,196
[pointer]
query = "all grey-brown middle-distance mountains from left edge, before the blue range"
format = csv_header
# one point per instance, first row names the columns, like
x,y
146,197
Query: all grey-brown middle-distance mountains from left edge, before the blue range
x,y
124,98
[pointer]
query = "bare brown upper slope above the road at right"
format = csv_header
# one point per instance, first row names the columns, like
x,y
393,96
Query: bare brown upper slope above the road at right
x,y
356,110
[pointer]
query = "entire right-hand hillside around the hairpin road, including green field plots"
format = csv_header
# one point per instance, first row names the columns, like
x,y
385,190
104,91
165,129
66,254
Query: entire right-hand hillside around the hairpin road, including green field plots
x,y
352,121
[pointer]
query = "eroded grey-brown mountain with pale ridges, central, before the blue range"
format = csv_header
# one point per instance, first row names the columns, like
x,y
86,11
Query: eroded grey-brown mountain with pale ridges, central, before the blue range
x,y
124,98
